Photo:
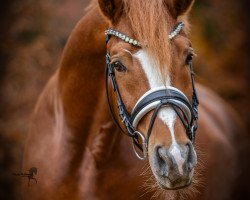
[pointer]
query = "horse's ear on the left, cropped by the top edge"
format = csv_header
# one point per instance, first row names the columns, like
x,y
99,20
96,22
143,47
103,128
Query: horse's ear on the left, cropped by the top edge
x,y
110,8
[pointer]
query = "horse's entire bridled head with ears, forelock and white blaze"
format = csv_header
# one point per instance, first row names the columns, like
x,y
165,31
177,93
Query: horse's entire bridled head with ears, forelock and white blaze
x,y
150,83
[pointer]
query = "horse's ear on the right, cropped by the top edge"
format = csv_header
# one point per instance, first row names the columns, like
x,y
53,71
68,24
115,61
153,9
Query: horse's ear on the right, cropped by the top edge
x,y
181,7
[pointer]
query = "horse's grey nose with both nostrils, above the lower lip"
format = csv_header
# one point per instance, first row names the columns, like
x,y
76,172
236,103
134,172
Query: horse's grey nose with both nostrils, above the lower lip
x,y
175,162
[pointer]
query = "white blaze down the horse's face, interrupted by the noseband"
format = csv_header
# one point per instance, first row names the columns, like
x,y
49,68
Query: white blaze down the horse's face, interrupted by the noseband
x,y
167,114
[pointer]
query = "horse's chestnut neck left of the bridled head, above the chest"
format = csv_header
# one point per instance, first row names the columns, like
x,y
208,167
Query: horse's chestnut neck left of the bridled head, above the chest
x,y
82,86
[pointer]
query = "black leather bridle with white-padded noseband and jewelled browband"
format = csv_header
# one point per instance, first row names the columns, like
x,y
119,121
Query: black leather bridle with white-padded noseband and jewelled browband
x,y
153,99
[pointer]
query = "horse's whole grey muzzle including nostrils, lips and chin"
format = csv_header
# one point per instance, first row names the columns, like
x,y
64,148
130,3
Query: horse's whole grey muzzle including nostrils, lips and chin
x,y
173,167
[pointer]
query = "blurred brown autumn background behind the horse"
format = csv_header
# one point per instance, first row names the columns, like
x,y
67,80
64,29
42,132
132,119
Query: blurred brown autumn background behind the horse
x,y
34,32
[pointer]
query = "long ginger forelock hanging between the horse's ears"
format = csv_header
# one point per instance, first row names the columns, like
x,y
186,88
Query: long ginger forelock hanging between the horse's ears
x,y
151,22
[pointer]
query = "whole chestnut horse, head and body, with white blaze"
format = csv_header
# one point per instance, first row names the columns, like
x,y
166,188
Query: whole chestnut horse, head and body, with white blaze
x,y
76,146
